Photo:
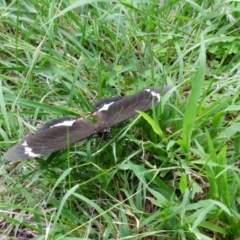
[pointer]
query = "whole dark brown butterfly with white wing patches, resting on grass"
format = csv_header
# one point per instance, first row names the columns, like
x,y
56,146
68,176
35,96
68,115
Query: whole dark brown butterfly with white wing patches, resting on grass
x,y
59,133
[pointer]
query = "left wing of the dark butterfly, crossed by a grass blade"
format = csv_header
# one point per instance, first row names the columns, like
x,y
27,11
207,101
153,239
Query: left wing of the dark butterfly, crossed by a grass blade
x,y
52,137
